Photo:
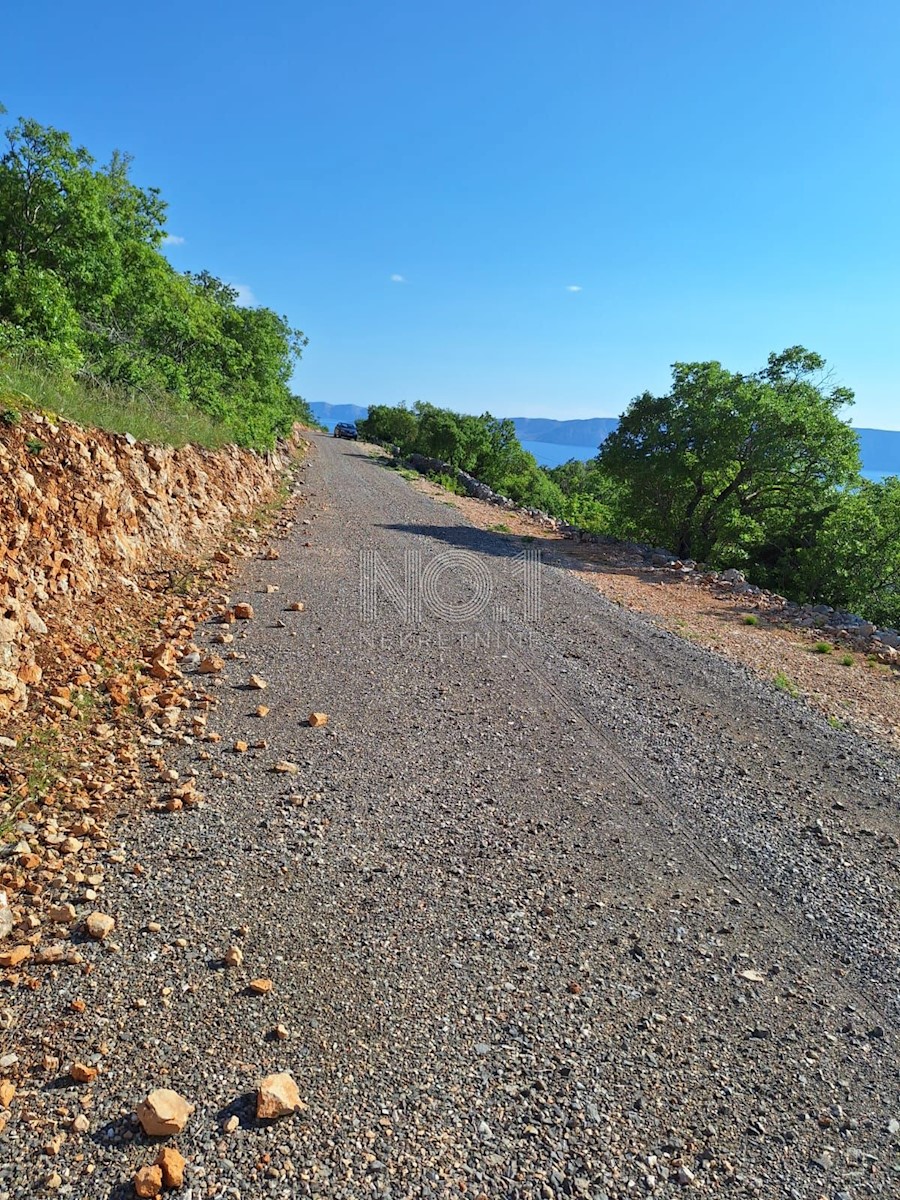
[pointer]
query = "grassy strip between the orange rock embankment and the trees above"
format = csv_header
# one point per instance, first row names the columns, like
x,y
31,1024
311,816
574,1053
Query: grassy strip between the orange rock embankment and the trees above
x,y
158,418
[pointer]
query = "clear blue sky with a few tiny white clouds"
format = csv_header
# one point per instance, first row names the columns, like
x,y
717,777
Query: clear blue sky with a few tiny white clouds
x,y
421,188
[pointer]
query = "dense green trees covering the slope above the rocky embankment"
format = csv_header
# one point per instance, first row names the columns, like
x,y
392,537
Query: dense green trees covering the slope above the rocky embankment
x,y
88,299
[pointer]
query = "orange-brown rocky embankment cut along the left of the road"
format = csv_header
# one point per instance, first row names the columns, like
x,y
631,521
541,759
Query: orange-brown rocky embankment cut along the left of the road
x,y
81,509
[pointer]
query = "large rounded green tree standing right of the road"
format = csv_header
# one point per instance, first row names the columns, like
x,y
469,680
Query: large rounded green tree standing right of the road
x,y
725,464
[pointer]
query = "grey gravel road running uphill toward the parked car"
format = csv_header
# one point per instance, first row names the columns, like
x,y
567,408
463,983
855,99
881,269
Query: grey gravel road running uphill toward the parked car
x,y
556,905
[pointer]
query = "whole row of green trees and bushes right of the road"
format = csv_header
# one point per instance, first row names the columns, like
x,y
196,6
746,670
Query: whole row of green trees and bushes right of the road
x,y
754,471
